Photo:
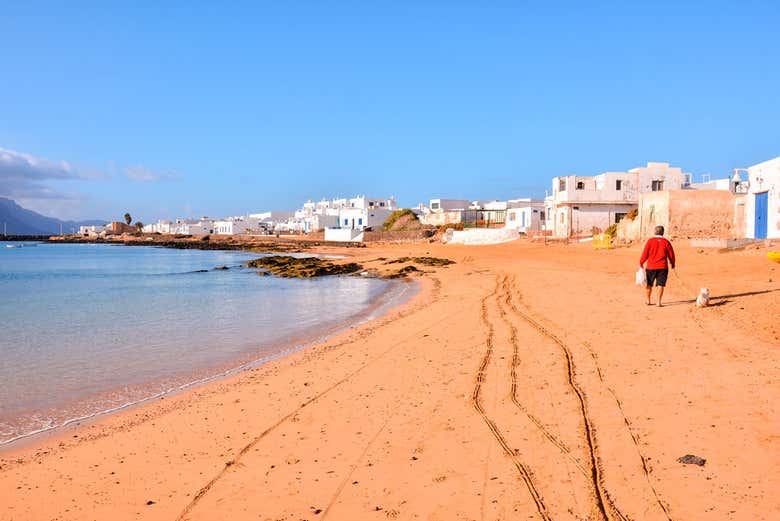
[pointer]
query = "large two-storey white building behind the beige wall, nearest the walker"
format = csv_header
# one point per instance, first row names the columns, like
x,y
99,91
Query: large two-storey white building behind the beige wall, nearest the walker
x,y
580,205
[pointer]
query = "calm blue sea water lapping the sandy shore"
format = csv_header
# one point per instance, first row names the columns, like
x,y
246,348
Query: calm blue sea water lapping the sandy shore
x,y
88,328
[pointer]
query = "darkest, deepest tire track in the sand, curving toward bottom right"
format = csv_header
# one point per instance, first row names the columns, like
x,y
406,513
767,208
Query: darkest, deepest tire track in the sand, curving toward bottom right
x,y
603,500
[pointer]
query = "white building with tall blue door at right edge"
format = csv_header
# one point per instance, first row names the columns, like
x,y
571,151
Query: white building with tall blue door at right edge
x,y
762,207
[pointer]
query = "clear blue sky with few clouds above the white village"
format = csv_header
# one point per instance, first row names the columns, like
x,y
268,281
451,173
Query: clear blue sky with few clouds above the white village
x,y
200,109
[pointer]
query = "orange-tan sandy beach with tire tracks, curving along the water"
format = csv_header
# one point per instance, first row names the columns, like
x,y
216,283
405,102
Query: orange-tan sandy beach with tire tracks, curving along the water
x,y
525,381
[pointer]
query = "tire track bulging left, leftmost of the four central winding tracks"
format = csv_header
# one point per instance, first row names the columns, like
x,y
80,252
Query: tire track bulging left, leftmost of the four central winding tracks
x,y
525,474
